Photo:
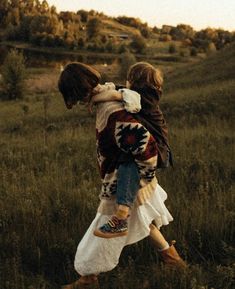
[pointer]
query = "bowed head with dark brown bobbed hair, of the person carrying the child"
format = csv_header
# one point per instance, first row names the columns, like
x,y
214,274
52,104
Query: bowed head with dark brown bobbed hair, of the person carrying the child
x,y
77,81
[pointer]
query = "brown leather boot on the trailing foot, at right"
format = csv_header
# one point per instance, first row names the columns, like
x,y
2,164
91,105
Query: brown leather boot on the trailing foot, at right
x,y
171,257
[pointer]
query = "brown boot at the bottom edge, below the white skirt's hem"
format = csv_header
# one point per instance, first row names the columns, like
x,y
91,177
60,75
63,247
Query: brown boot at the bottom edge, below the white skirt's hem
x,y
84,282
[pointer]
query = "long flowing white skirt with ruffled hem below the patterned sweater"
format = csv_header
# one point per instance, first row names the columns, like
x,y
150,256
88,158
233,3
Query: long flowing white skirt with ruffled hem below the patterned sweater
x,y
95,255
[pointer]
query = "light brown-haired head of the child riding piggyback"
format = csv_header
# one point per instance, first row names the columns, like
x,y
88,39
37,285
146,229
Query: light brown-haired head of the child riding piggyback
x,y
143,75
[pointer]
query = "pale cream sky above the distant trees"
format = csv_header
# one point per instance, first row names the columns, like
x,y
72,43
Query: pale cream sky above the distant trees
x,y
197,13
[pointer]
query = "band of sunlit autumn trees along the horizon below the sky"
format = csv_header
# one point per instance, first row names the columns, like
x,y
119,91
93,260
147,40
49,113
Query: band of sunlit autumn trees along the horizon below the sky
x,y
39,23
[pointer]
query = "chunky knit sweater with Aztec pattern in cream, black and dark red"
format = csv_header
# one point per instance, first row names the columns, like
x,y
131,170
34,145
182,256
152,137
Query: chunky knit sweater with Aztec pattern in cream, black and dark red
x,y
117,131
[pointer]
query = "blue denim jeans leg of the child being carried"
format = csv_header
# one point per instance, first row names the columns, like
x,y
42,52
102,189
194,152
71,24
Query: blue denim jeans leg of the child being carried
x,y
127,183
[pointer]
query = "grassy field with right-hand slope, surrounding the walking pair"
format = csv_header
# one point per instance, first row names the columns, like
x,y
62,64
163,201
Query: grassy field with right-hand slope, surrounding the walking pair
x,y
49,186
